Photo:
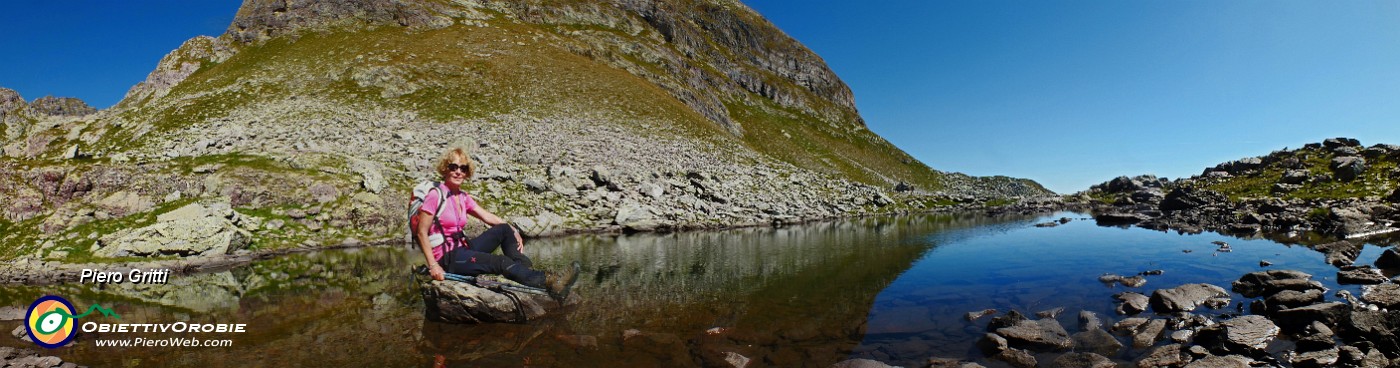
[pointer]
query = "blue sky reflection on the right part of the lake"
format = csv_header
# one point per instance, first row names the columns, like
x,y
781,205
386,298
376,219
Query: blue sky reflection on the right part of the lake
x,y
1030,269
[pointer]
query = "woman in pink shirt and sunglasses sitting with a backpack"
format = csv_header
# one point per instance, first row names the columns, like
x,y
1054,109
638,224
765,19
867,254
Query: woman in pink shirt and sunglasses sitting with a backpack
x,y
447,248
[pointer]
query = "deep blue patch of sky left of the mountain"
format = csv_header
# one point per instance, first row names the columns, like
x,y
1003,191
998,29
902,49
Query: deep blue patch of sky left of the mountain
x,y
96,50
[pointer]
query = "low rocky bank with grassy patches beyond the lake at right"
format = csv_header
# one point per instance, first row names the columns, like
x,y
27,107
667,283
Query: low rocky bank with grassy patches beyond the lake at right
x,y
1338,190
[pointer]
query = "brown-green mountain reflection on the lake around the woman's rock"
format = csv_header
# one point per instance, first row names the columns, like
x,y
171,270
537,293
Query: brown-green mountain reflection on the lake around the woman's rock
x,y
797,296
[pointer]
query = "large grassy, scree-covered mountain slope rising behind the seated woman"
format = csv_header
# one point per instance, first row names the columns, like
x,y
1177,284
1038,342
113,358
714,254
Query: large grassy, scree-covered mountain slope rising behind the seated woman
x,y
307,122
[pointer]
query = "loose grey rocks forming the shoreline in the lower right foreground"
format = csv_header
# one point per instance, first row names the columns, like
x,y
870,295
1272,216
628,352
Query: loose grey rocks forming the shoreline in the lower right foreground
x,y
1289,324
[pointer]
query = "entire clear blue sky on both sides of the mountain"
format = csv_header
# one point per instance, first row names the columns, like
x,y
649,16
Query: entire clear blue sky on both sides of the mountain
x,y
1065,93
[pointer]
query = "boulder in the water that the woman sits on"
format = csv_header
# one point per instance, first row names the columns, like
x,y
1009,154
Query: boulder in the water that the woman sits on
x,y
464,303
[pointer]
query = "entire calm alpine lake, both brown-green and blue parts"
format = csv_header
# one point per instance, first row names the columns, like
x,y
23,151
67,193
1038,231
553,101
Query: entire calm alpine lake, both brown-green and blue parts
x,y
890,289
